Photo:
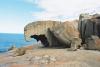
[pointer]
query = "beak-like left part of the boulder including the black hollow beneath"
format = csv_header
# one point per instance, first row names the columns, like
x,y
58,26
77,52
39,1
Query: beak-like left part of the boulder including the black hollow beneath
x,y
38,30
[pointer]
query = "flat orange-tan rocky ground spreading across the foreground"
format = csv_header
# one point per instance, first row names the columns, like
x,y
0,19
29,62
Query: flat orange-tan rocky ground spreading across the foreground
x,y
51,57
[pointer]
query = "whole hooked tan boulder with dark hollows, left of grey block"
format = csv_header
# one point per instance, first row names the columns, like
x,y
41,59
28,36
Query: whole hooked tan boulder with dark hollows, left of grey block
x,y
54,33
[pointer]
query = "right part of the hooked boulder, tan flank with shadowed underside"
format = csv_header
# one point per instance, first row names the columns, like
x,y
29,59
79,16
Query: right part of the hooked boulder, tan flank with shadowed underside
x,y
65,34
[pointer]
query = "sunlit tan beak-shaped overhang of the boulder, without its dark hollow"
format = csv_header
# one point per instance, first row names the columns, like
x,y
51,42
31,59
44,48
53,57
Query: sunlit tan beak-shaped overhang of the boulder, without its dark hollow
x,y
38,28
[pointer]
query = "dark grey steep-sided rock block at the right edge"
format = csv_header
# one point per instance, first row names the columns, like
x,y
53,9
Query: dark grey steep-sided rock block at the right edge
x,y
89,27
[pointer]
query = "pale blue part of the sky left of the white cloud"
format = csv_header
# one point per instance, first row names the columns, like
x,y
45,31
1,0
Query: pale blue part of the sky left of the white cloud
x,y
15,14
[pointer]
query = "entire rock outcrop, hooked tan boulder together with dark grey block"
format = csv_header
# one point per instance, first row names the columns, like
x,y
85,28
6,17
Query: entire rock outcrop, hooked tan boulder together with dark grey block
x,y
67,34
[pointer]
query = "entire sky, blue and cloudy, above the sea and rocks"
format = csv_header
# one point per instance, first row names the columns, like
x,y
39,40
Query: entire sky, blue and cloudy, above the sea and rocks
x,y
15,14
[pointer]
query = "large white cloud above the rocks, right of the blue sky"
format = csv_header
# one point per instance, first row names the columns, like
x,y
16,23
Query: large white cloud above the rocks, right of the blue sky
x,y
65,9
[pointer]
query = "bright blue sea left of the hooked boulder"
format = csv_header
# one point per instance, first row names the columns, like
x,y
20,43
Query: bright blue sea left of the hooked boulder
x,y
9,39
